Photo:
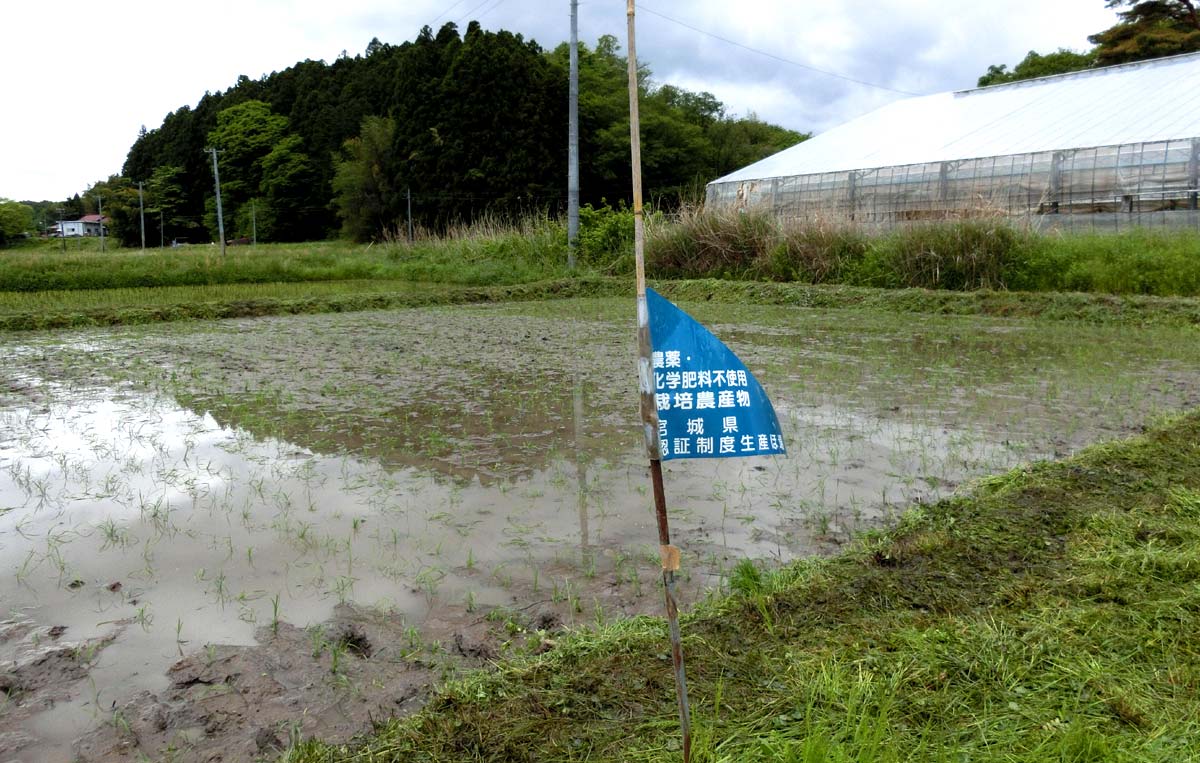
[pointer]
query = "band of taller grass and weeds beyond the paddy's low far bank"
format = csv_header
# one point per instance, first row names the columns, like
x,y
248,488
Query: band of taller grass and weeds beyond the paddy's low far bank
x,y
968,255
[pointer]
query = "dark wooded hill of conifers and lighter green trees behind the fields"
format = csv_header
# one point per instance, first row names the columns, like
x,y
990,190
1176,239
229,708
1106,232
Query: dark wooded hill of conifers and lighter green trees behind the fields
x,y
465,123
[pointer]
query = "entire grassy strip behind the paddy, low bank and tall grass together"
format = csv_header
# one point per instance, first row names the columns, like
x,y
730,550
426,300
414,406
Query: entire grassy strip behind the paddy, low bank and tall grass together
x,y
970,267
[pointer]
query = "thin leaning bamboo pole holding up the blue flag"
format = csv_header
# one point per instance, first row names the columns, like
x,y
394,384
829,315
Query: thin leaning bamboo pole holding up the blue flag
x,y
670,555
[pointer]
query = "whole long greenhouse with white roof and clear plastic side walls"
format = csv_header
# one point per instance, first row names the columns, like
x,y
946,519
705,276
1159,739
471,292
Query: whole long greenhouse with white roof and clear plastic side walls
x,y
1101,149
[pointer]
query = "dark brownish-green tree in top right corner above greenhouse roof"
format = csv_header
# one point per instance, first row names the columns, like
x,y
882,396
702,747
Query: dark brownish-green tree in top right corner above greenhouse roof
x,y
1149,29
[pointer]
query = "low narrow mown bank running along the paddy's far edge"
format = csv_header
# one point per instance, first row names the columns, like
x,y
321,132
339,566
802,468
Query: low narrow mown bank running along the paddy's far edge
x,y
57,310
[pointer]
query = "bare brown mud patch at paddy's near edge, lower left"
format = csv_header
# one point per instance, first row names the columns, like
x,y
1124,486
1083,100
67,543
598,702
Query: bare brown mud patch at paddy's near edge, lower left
x,y
333,682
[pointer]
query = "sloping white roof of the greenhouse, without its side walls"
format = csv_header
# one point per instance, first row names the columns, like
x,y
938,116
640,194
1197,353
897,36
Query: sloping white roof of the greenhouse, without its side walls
x,y
1139,103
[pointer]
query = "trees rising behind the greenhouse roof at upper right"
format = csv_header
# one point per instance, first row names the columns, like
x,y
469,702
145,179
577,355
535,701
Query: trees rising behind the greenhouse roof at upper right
x,y
1148,29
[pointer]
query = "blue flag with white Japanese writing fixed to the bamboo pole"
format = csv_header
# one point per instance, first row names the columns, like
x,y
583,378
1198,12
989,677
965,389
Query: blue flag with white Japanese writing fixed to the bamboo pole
x,y
710,405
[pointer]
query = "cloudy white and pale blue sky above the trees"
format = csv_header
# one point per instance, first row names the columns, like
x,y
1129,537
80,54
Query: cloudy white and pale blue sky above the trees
x,y
80,80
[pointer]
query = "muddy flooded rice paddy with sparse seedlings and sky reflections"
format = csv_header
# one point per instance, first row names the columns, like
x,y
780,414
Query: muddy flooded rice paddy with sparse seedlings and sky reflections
x,y
219,537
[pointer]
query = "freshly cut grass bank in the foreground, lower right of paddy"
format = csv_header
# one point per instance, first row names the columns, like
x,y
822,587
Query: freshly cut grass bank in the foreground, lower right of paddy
x,y
1048,616
